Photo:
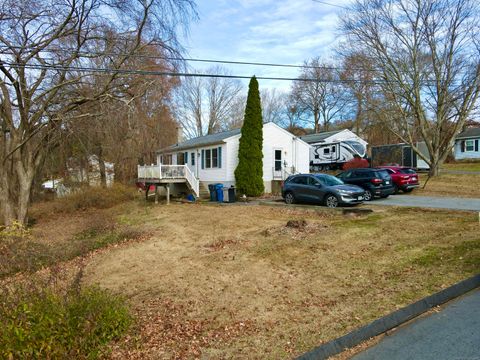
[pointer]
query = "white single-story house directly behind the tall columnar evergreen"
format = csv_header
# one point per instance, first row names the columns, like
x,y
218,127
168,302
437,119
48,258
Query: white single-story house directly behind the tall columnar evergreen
x,y
214,158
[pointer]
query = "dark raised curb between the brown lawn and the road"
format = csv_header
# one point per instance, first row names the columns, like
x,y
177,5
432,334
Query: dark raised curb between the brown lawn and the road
x,y
391,320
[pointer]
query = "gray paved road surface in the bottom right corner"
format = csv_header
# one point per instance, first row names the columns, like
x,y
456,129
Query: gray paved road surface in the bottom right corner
x,y
453,333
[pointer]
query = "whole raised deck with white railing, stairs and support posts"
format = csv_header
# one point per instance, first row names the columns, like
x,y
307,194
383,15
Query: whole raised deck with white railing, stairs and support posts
x,y
164,175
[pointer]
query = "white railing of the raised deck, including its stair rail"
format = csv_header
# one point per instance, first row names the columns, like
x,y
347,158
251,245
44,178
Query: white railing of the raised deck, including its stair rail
x,y
159,172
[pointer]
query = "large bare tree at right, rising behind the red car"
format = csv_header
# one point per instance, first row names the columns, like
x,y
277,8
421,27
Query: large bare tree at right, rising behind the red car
x,y
427,53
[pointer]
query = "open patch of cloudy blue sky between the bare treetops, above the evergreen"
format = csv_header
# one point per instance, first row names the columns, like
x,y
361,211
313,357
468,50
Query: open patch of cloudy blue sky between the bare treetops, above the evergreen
x,y
273,31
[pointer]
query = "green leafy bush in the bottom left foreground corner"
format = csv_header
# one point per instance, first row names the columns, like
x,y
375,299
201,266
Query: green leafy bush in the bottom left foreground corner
x,y
39,323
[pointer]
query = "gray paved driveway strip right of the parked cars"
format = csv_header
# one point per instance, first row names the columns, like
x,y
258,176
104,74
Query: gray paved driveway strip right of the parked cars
x,y
430,202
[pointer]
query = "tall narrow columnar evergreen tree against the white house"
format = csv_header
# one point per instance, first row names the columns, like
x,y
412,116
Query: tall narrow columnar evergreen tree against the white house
x,y
249,172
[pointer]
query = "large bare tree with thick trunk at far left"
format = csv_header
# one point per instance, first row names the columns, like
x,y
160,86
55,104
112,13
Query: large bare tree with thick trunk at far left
x,y
43,47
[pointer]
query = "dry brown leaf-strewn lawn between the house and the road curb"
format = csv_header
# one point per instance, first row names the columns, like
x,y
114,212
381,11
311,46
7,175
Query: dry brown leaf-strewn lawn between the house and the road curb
x,y
235,282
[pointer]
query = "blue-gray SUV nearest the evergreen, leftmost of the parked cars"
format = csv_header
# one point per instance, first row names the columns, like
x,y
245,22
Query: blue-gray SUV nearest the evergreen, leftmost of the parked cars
x,y
321,189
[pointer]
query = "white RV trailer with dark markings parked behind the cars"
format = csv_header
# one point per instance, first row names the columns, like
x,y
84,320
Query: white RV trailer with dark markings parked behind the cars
x,y
330,150
